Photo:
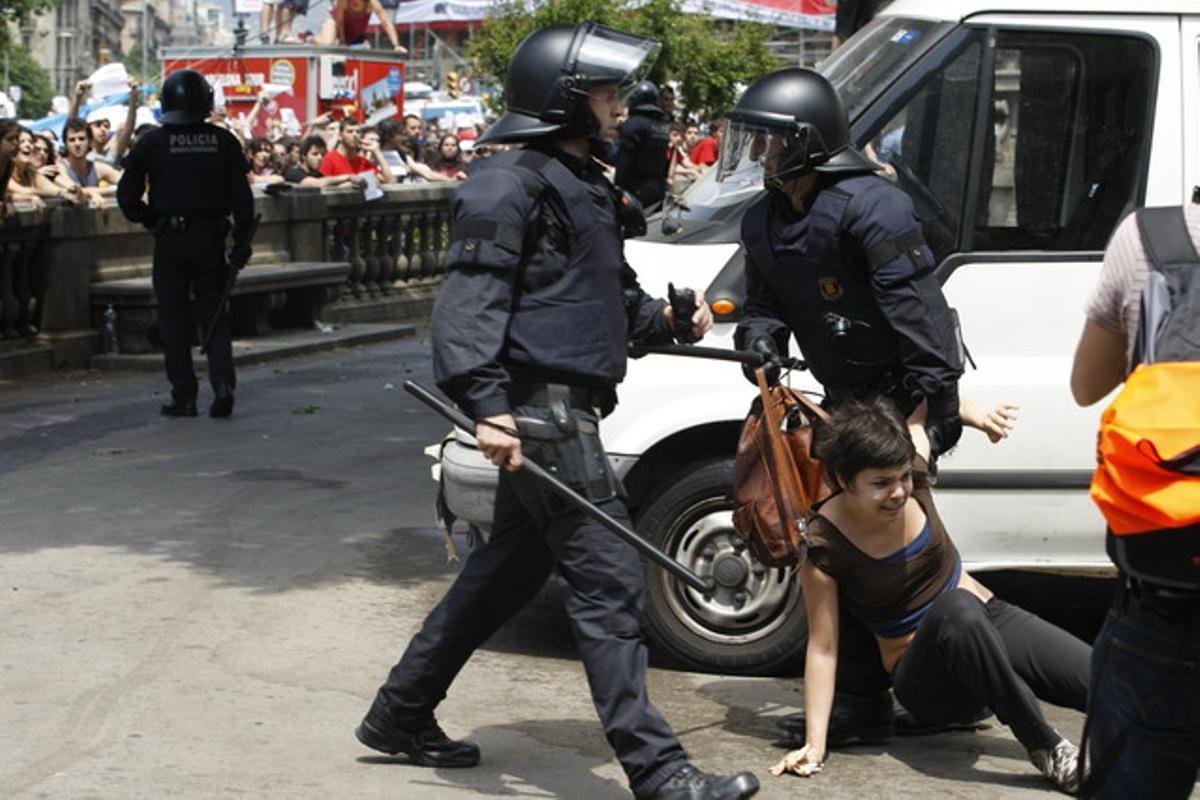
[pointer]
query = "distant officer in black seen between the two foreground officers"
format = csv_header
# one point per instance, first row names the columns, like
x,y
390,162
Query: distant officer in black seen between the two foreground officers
x,y
643,158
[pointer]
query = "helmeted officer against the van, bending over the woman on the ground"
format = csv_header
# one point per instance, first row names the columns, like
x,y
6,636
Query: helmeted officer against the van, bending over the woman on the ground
x,y
836,257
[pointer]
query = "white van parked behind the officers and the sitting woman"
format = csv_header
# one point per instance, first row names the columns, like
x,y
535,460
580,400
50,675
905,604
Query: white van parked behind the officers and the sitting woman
x,y
1023,130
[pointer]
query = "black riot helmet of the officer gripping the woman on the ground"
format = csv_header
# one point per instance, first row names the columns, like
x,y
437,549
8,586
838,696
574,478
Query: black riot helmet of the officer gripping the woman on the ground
x,y
791,123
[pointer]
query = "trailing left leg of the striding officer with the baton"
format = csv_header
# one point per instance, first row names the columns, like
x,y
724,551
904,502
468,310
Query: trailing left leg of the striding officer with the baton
x,y
497,581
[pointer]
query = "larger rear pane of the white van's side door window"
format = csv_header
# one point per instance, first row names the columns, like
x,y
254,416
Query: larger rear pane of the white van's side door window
x,y
1066,141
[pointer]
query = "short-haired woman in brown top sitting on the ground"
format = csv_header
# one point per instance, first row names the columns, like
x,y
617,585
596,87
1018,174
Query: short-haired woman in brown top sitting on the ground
x,y
952,647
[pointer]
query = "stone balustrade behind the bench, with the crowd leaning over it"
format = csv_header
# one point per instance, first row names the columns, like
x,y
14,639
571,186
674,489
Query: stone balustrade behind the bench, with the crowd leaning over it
x,y
51,260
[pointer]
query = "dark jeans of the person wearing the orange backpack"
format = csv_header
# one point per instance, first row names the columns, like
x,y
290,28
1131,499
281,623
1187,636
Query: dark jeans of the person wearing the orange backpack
x,y
1144,723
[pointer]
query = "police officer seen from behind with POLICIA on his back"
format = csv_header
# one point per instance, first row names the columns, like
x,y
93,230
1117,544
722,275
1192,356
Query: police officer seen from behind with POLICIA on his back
x,y
197,177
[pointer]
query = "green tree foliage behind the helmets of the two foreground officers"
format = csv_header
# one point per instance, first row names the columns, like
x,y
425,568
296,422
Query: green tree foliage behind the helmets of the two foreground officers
x,y
707,58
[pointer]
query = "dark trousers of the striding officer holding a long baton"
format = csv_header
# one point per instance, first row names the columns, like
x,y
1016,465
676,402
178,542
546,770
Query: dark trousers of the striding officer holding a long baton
x,y
604,593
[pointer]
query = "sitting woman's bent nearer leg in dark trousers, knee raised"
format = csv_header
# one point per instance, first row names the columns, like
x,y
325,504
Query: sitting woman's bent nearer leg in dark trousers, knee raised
x,y
958,664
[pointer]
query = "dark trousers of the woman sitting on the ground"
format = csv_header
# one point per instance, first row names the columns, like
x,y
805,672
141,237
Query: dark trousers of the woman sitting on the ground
x,y
969,657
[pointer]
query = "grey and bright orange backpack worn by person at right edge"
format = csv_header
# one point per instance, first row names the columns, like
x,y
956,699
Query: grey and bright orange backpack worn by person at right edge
x,y
1148,480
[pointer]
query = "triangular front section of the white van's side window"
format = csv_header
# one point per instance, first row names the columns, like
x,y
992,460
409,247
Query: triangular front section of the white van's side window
x,y
926,146
